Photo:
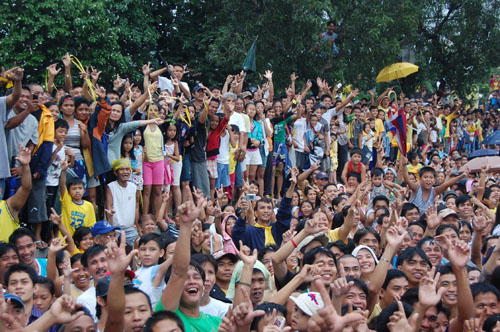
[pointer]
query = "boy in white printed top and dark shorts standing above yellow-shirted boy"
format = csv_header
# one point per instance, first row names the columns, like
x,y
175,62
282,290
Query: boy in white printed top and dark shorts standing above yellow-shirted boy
x,y
59,154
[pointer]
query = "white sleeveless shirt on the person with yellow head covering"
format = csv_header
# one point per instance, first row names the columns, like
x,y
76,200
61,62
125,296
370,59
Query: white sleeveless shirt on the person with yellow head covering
x,y
123,204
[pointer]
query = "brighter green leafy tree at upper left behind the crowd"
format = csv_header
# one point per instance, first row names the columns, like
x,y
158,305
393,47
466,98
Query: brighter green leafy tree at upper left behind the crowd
x,y
113,36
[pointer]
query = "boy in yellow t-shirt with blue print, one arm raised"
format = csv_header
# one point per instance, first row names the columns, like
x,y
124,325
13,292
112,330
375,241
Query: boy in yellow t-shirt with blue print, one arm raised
x,y
76,212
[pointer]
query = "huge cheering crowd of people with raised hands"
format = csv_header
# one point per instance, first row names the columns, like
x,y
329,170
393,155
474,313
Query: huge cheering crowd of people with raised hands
x,y
160,206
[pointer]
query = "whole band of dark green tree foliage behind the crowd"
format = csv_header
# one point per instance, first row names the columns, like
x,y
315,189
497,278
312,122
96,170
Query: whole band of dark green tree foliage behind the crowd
x,y
455,40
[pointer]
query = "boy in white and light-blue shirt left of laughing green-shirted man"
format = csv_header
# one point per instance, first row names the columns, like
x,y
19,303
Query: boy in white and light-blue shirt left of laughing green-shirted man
x,y
150,252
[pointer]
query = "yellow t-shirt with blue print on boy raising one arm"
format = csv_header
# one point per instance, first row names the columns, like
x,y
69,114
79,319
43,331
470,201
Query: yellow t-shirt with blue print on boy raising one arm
x,y
76,215
